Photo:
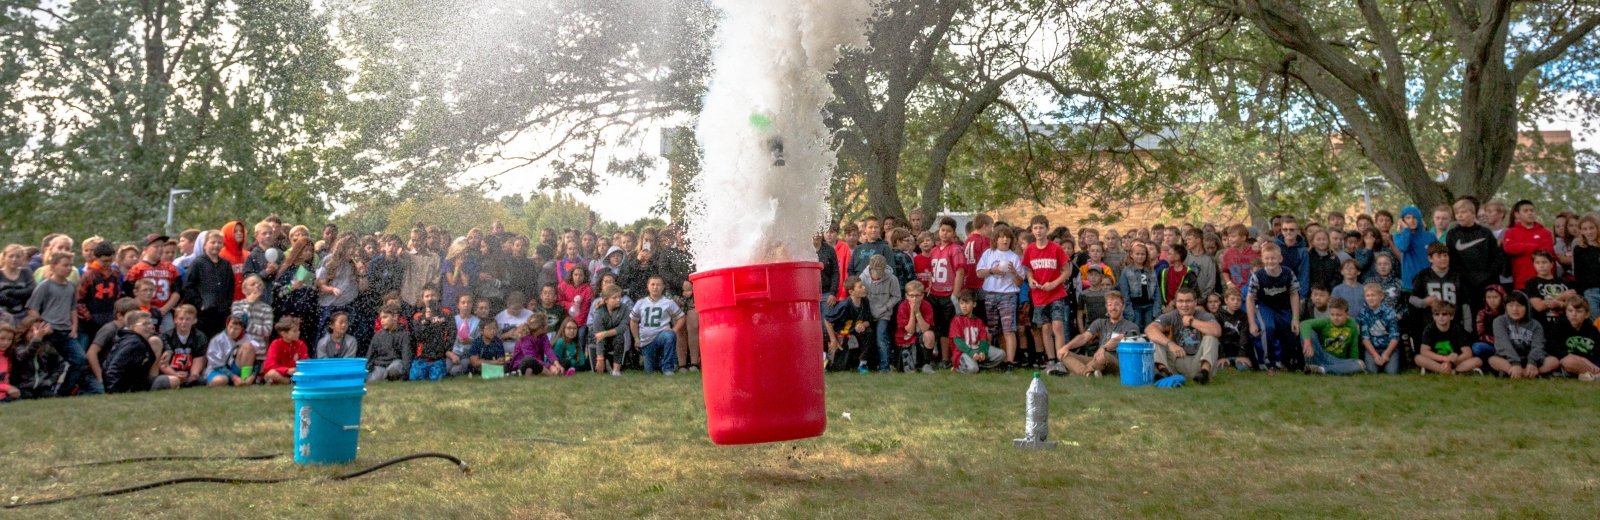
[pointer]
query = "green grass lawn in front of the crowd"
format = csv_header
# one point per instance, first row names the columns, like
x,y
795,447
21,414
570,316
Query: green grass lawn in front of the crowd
x,y
918,446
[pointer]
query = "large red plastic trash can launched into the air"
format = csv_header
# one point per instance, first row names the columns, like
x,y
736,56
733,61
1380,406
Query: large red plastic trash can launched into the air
x,y
761,334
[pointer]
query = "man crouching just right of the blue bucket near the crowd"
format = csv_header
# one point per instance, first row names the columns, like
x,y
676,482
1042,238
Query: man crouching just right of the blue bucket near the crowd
x,y
1186,338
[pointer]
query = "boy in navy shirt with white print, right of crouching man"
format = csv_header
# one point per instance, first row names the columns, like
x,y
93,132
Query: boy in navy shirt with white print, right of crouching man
x,y
1273,306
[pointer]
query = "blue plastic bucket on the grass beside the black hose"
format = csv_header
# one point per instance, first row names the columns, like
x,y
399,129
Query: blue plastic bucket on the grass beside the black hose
x,y
329,410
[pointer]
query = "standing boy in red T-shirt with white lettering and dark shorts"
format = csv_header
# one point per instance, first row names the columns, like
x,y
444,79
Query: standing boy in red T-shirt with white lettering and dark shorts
x,y
1049,273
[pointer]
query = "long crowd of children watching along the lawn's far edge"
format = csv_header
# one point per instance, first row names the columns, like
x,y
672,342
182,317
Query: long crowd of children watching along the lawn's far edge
x,y
1458,290
